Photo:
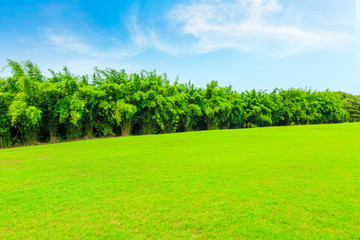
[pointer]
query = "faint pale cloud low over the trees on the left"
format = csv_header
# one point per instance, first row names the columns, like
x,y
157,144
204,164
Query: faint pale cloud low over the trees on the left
x,y
82,53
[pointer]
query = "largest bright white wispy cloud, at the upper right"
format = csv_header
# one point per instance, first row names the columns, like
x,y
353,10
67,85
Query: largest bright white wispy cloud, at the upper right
x,y
260,26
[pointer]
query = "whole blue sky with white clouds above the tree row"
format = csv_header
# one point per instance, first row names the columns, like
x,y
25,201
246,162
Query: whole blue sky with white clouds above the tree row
x,y
249,44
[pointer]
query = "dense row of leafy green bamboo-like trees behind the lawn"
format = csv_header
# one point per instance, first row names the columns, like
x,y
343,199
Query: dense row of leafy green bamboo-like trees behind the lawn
x,y
64,106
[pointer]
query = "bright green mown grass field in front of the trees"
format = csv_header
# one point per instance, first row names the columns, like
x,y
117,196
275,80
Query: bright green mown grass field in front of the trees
x,y
300,182
